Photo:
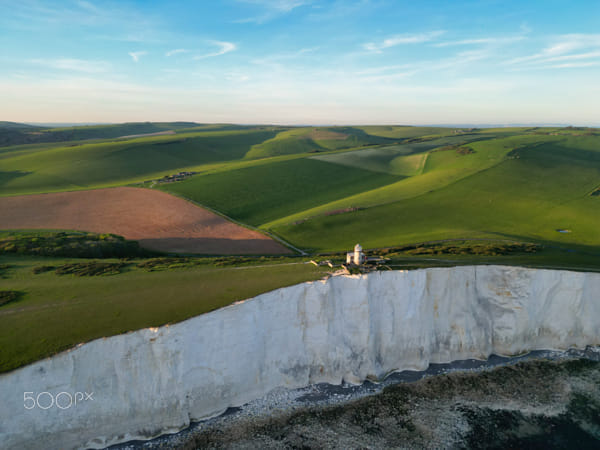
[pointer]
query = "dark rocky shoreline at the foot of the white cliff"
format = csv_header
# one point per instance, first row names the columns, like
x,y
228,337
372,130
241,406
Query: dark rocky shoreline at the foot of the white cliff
x,y
463,404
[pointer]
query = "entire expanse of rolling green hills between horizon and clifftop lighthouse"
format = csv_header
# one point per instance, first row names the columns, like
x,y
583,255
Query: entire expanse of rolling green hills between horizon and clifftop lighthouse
x,y
324,188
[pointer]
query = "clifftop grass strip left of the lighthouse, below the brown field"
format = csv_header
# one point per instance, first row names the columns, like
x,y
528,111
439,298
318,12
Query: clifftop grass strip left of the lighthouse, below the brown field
x,y
56,312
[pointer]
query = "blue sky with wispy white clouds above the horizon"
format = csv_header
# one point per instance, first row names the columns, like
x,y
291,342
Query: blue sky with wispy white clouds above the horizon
x,y
301,61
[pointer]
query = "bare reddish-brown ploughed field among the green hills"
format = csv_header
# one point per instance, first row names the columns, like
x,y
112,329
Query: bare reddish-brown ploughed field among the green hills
x,y
159,221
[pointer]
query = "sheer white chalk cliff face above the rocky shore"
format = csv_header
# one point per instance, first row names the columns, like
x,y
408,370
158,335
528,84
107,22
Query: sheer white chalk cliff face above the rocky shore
x,y
154,381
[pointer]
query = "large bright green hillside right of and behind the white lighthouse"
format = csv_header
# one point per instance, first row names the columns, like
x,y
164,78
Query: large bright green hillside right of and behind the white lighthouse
x,y
526,191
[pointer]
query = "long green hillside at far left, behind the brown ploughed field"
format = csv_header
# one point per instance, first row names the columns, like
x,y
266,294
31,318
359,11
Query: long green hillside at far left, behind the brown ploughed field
x,y
84,165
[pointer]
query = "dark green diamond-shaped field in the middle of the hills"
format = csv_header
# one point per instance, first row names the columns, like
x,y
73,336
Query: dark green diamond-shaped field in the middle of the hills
x,y
262,193
